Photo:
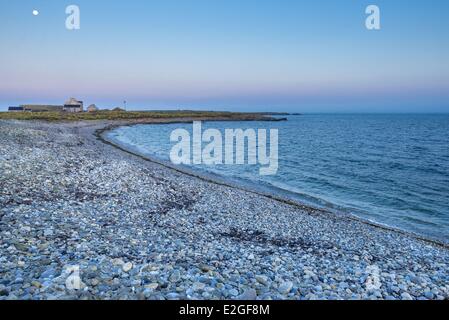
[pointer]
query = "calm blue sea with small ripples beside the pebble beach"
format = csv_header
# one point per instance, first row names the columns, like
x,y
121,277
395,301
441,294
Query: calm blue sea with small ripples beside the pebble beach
x,y
391,169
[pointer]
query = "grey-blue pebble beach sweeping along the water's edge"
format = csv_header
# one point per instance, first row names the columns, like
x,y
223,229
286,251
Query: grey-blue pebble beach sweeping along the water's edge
x,y
135,229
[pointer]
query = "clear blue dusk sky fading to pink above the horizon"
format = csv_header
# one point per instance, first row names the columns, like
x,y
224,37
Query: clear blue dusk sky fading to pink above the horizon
x,y
237,55
